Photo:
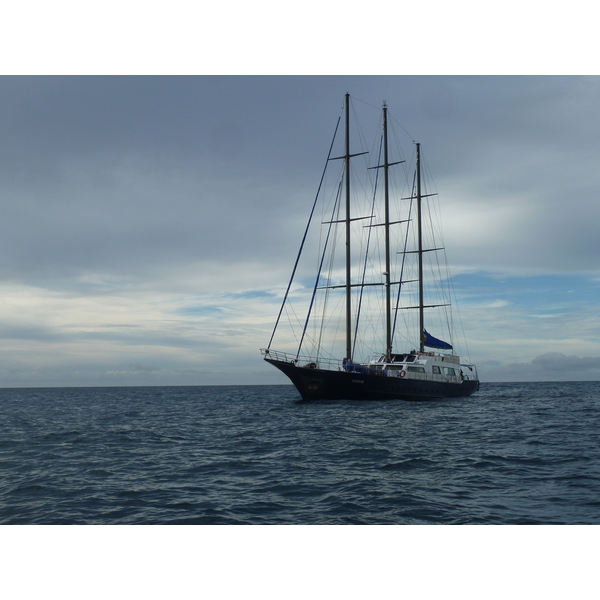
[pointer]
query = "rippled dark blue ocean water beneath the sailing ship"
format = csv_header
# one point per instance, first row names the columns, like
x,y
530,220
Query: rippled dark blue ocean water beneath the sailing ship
x,y
520,453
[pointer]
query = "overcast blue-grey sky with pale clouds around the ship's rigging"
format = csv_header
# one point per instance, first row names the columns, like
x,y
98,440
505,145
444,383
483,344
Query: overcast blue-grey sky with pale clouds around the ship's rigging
x,y
149,224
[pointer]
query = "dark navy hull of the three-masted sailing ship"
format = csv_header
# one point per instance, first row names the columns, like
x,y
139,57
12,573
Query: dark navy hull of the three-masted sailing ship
x,y
319,384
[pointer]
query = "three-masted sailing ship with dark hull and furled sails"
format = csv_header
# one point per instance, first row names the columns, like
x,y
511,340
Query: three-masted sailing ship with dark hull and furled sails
x,y
323,367
